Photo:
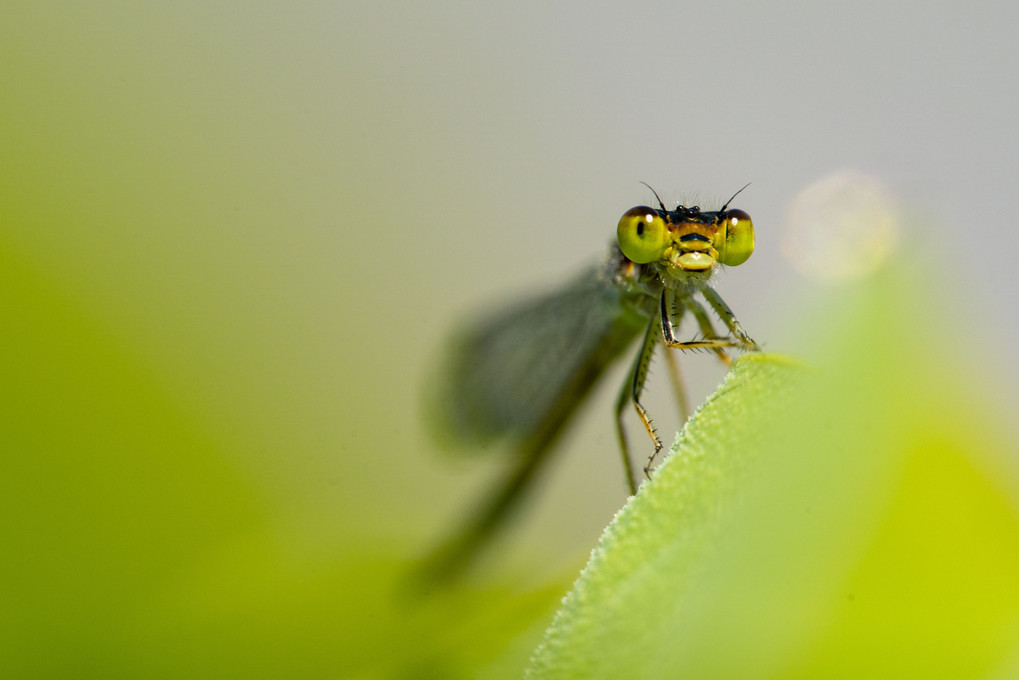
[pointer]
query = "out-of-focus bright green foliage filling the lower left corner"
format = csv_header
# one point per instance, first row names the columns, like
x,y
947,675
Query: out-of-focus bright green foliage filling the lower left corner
x,y
135,545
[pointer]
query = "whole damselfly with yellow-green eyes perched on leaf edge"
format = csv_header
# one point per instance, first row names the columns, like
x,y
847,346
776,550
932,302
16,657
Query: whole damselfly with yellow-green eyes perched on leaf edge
x,y
522,373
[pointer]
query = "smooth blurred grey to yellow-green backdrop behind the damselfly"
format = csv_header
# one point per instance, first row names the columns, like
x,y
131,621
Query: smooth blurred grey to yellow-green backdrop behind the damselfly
x,y
291,208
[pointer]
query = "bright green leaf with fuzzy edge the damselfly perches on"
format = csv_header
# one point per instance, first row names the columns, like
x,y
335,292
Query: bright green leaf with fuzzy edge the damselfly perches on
x,y
854,518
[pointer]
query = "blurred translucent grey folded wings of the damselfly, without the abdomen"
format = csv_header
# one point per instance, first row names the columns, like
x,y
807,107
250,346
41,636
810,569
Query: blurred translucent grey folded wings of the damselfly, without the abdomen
x,y
512,373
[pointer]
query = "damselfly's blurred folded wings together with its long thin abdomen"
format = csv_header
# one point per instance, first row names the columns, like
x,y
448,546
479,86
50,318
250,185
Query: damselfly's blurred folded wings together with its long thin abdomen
x,y
522,374
